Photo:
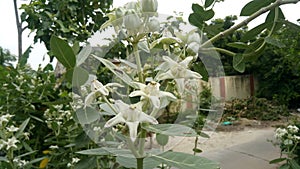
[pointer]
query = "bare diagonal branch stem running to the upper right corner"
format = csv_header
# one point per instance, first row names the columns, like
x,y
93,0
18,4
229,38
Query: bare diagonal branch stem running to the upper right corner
x,y
246,21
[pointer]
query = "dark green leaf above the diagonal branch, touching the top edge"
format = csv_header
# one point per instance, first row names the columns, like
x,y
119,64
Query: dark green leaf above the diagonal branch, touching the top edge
x,y
254,6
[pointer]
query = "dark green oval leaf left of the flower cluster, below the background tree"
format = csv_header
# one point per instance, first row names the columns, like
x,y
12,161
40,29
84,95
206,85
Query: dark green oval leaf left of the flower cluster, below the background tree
x,y
63,52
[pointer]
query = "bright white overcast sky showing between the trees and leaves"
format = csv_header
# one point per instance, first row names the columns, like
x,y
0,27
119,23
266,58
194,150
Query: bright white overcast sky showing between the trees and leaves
x,y
8,30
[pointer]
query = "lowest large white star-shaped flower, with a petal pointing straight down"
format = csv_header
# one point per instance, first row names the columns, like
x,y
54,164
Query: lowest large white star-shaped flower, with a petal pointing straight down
x,y
132,115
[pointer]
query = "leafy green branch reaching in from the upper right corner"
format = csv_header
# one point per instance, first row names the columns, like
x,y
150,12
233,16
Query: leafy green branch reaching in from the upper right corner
x,y
251,50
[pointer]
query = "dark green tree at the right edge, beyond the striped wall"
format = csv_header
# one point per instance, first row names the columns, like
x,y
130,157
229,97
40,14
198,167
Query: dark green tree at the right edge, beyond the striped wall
x,y
278,69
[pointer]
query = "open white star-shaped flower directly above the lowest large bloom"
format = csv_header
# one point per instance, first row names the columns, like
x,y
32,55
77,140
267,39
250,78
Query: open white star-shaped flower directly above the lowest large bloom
x,y
152,92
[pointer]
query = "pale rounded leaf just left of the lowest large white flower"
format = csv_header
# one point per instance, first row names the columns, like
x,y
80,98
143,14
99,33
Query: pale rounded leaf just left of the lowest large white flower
x,y
87,115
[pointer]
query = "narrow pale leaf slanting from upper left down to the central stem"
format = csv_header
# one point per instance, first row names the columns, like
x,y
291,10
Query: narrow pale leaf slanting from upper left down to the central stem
x,y
116,70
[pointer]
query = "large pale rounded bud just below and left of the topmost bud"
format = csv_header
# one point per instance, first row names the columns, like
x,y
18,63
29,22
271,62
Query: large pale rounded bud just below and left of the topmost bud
x,y
132,22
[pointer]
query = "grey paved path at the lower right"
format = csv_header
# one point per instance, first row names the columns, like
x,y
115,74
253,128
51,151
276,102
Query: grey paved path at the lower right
x,y
254,154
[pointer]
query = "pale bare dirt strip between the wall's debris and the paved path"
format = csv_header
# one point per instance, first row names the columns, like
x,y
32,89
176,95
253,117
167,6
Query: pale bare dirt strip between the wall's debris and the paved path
x,y
239,132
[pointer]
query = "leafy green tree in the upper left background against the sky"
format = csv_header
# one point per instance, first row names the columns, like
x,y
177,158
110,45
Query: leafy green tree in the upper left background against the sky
x,y
74,20
